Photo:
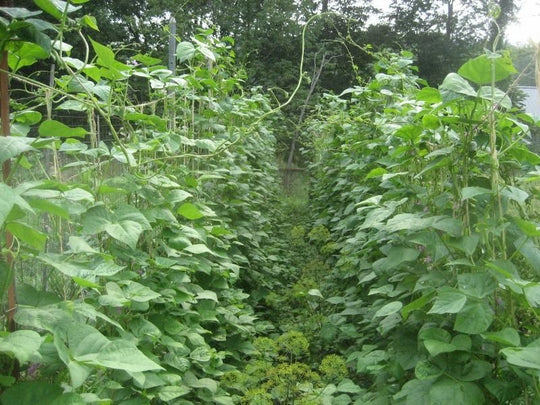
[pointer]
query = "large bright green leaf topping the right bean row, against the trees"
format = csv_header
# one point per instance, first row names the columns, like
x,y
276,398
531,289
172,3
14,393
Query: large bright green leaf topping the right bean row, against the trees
x,y
479,70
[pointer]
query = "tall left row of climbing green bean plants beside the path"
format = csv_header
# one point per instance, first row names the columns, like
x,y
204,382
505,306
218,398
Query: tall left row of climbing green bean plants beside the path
x,y
134,228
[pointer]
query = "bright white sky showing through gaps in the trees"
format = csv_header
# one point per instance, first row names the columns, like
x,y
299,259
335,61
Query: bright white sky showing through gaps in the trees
x,y
525,29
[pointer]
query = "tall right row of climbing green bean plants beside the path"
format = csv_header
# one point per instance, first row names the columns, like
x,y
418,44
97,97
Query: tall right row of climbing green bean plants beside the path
x,y
430,195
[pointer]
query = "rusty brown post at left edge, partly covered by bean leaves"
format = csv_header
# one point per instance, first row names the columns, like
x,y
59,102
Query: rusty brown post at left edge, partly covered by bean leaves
x,y
6,170
